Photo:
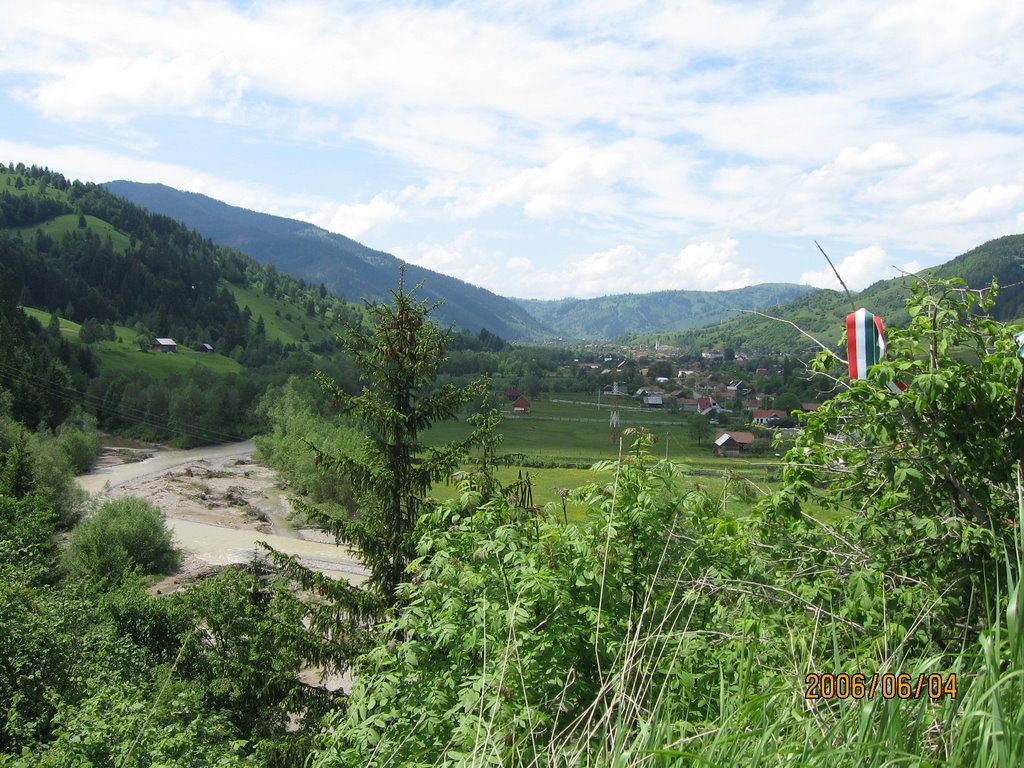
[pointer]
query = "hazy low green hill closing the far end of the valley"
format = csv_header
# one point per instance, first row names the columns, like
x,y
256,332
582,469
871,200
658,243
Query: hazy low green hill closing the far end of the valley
x,y
622,315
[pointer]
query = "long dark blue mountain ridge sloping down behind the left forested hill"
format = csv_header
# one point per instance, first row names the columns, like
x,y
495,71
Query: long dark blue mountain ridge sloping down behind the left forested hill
x,y
340,264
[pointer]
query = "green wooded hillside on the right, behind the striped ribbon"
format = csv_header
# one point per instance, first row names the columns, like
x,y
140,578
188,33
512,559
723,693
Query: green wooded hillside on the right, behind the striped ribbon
x,y
823,314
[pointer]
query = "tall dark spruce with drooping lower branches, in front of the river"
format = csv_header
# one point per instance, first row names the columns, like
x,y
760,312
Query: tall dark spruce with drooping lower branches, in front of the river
x,y
399,355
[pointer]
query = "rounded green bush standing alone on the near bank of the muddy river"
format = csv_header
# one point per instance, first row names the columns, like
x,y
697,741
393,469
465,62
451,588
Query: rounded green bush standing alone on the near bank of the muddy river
x,y
123,535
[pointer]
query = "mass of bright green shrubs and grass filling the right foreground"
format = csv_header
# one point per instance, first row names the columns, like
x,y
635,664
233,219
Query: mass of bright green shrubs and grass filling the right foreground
x,y
664,631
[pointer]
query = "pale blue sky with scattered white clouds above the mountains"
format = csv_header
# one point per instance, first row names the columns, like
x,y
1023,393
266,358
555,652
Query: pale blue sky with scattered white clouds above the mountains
x,y
545,150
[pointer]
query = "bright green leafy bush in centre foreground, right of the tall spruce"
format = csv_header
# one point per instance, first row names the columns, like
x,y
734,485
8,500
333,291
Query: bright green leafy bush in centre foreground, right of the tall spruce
x,y
518,628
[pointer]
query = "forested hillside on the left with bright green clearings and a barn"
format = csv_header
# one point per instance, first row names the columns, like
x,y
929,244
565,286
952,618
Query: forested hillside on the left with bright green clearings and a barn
x,y
107,278
